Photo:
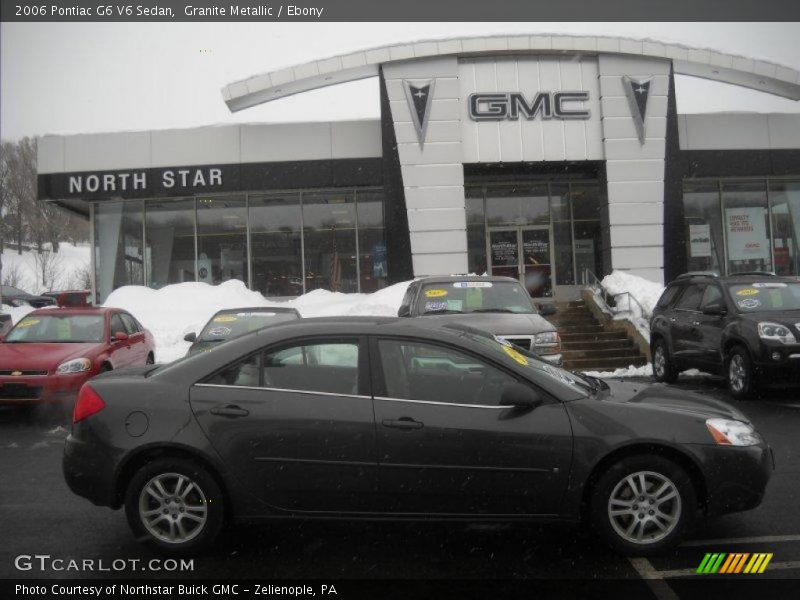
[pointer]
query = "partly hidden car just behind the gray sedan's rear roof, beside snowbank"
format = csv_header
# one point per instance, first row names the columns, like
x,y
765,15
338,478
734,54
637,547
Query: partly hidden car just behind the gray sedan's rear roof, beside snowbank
x,y
232,322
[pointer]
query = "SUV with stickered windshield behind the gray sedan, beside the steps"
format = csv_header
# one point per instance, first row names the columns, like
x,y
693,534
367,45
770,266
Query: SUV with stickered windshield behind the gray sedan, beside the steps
x,y
497,305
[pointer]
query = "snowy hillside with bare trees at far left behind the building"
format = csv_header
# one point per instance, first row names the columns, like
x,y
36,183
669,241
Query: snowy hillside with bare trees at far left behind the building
x,y
65,272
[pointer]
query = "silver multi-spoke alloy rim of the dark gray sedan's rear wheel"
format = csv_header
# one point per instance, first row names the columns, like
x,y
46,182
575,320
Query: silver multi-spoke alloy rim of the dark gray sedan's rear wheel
x,y
173,508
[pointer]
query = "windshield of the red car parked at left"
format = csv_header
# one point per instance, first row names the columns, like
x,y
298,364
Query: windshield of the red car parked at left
x,y
69,329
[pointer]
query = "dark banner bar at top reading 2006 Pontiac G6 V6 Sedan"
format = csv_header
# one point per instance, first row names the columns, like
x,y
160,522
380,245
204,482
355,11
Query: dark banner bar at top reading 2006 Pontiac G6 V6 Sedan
x,y
405,10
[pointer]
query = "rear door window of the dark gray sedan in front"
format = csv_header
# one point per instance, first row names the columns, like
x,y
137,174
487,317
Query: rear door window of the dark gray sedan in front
x,y
325,366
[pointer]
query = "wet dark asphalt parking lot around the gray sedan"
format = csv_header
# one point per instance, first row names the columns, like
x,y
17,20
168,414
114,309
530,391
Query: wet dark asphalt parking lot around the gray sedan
x,y
39,515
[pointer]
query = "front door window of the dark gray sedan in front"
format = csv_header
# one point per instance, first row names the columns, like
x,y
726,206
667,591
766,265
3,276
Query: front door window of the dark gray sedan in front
x,y
418,371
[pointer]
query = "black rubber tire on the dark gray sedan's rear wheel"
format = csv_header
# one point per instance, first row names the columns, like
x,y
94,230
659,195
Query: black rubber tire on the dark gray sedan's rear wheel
x,y
206,493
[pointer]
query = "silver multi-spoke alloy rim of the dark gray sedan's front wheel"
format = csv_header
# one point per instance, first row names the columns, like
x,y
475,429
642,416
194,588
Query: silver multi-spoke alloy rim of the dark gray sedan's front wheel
x,y
644,507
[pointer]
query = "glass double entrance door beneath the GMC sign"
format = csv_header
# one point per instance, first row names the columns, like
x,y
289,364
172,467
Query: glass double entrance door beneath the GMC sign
x,y
525,254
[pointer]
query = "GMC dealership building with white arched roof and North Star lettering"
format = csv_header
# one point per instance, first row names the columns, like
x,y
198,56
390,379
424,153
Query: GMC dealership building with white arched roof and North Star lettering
x,y
554,159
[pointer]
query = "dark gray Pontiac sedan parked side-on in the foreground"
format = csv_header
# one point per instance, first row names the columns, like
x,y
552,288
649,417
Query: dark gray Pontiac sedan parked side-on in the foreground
x,y
404,419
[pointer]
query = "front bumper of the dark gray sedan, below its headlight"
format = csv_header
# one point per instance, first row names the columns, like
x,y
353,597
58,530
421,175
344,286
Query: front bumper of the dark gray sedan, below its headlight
x,y
735,477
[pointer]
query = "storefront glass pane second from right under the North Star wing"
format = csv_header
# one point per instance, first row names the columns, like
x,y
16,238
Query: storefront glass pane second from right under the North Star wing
x,y
329,233
